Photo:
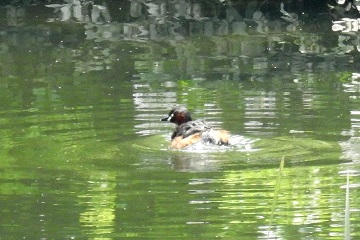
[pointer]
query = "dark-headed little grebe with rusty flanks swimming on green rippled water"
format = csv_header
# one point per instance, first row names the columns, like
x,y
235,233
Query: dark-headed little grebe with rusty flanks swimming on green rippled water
x,y
188,132
